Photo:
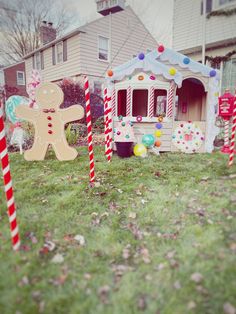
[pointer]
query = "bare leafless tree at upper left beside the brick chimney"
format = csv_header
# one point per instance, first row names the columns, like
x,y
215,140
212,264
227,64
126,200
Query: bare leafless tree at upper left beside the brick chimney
x,y
21,22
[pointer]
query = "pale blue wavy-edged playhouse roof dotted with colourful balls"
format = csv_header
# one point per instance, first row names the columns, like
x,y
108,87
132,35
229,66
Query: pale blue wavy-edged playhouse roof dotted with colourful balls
x,y
161,61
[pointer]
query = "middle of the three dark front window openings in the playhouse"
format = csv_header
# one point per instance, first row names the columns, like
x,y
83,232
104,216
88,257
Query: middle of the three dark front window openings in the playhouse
x,y
140,102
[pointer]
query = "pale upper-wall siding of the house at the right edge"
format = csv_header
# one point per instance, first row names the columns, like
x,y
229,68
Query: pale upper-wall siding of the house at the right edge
x,y
187,30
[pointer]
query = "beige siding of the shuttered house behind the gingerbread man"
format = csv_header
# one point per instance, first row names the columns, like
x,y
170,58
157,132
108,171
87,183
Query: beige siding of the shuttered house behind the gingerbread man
x,y
129,37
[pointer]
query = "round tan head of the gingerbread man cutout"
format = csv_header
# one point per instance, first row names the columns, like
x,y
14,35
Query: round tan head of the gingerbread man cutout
x,y
49,95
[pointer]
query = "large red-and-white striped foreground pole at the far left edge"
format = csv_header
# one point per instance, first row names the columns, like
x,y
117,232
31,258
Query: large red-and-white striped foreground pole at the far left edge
x,y
8,186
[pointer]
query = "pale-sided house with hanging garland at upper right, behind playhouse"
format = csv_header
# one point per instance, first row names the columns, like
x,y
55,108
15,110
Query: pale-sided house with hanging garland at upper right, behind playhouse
x,y
220,34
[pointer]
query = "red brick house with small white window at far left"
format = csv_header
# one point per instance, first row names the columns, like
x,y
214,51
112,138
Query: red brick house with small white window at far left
x,y
14,80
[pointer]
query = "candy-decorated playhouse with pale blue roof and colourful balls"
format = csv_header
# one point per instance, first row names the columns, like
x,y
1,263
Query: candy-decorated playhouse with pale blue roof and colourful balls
x,y
166,91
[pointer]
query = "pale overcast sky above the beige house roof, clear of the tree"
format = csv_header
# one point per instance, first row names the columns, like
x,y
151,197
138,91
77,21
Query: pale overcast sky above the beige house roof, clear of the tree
x,y
155,14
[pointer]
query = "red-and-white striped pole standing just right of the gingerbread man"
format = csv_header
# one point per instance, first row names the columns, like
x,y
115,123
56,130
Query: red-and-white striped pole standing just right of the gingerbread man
x,y
89,128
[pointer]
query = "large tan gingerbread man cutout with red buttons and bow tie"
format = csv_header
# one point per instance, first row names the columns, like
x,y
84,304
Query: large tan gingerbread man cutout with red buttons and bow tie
x,y
49,121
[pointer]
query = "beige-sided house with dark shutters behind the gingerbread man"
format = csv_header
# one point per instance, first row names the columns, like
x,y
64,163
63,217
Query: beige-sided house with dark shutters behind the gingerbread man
x,y
86,50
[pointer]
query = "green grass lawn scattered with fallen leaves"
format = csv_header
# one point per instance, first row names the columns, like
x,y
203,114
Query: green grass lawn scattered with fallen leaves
x,y
159,234
